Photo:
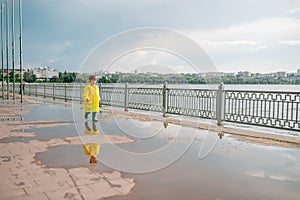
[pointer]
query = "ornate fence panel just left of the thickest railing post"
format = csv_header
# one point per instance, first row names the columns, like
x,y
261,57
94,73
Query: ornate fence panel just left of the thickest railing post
x,y
192,102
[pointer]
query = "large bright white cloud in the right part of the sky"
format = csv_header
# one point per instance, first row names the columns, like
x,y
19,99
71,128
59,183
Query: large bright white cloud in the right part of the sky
x,y
263,32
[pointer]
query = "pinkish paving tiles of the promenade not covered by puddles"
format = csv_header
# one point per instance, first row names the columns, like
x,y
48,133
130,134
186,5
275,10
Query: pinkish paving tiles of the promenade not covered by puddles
x,y
24,177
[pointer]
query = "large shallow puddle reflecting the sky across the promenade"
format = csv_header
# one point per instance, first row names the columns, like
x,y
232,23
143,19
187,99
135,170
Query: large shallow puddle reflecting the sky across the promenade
x,y
209,167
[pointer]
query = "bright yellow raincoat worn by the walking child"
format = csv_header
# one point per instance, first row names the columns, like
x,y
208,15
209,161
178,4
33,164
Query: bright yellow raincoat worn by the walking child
x,y
91,93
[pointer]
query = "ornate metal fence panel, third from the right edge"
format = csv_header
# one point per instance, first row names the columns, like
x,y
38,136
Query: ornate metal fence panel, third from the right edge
x,y
145,98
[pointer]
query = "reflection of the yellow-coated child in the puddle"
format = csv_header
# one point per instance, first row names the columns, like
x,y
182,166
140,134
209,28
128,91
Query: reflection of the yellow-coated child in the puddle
x,y
92,150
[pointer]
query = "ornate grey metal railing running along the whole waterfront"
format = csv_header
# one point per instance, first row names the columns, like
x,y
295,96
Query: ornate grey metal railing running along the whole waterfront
x,y
262,108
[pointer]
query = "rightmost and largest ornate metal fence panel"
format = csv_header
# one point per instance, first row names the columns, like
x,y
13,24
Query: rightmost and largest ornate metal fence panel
x,y
269,109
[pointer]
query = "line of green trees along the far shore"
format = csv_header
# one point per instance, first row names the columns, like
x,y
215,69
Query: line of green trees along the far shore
x,y
144,78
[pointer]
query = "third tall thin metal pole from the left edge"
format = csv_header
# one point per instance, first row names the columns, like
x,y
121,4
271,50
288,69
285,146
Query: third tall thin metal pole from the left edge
x,y
13,44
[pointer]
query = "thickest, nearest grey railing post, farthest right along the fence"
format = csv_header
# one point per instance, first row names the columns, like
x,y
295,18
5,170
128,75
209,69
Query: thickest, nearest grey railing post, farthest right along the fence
x,y
220,105
